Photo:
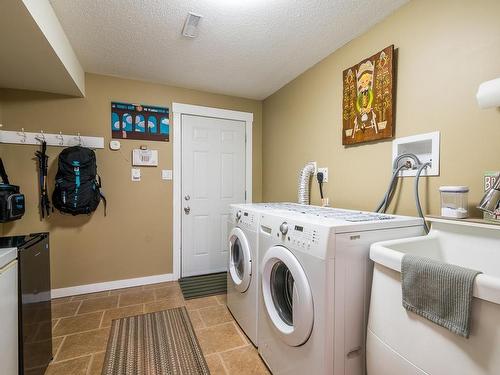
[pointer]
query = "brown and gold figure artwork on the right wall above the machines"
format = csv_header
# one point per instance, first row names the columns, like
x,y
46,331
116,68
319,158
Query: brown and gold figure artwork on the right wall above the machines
x,y
368,99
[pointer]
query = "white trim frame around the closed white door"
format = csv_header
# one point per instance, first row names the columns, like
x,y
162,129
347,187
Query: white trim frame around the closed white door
x,y
179,109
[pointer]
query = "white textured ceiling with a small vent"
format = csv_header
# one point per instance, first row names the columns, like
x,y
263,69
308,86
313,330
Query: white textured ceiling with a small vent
x,y
247,48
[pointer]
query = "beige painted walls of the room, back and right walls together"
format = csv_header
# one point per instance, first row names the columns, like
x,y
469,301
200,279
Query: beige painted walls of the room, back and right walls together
x,y
445,49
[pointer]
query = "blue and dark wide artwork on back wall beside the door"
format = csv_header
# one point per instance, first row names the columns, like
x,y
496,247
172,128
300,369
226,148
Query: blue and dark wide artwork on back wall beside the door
x,y
139,121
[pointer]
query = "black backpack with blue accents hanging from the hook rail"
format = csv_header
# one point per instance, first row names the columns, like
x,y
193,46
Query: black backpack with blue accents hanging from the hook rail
x,y
78,186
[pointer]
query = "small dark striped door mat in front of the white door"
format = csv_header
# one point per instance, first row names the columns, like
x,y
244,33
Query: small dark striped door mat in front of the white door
x,y
203,285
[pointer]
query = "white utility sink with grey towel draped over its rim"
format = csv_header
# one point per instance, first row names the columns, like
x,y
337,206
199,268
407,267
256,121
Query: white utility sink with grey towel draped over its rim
x,y
400,342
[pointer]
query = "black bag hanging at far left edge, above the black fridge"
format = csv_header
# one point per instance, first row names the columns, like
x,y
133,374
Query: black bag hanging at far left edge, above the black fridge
x,y
12,202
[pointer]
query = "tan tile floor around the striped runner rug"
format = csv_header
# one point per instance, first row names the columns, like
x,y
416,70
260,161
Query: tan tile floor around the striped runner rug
x,y
81,326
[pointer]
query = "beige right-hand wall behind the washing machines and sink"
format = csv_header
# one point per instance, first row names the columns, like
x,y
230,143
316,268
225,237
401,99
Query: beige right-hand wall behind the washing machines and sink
x,y
446,49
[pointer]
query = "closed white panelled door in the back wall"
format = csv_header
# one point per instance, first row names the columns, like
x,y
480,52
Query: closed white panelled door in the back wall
x,y
213,177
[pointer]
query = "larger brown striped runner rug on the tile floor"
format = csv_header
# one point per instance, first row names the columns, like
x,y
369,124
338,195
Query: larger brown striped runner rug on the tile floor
x,y
160,343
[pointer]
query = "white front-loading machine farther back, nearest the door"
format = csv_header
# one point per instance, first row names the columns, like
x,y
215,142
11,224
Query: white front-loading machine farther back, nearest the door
x,y
243,271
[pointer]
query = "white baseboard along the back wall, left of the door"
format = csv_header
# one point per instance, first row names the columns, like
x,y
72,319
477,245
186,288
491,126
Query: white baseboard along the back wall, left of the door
x,y
110,285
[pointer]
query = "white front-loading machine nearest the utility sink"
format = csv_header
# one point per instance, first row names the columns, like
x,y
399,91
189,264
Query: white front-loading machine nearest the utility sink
x,y
315,287
